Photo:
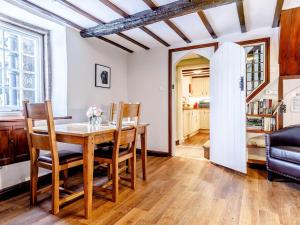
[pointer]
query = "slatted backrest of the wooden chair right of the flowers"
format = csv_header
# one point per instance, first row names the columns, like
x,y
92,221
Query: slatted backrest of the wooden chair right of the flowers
x,y
126,134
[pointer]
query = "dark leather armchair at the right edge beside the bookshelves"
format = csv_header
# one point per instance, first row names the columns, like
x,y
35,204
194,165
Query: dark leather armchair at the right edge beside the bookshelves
x,y
283,153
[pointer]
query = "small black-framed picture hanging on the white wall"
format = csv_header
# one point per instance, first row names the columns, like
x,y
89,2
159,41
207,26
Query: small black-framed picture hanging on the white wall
x,y
102,76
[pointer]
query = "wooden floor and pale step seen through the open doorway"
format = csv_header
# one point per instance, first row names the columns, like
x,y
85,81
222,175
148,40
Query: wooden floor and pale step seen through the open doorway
x,y
192,147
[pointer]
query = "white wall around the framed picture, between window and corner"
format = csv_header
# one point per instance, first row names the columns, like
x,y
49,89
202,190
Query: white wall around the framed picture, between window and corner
x,y
82,56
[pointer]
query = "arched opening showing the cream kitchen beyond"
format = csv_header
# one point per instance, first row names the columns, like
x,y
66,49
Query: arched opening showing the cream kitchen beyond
x,y
192,104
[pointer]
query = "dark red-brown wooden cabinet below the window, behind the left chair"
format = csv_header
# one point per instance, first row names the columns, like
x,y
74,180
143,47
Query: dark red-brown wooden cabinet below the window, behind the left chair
x,y
13,139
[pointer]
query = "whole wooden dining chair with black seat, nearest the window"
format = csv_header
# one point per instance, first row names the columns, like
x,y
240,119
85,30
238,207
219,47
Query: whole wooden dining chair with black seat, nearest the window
x,y
55,160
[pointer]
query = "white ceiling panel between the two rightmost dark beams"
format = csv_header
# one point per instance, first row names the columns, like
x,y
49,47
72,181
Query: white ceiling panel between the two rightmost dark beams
x,y
259,13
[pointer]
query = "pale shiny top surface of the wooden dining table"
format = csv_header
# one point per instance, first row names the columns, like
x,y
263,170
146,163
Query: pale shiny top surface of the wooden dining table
x,y
82,129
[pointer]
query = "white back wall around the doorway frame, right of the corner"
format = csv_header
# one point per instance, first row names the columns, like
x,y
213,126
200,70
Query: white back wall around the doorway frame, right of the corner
x,y
148,82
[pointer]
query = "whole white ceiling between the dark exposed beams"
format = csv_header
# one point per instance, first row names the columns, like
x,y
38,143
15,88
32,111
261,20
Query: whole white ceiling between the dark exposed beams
x,y
224,19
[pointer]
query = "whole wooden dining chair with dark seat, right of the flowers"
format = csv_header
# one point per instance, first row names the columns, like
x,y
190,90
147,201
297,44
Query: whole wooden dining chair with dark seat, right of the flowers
x,y
113,155
